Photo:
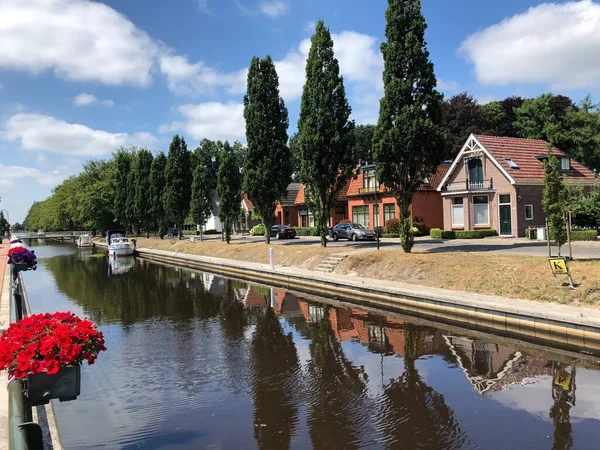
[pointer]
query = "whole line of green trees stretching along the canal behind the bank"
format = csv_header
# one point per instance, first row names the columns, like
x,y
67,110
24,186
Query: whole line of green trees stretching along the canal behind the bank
x,y
416,131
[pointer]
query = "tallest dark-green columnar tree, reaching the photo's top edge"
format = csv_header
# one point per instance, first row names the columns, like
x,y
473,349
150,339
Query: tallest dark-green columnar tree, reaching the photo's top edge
x,y
408,143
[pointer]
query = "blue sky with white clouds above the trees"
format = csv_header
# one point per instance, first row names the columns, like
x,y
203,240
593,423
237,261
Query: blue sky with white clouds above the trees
x,y
79,78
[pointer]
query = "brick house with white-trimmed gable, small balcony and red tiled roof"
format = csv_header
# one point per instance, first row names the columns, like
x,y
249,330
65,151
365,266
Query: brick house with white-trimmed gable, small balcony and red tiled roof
x,y
498,183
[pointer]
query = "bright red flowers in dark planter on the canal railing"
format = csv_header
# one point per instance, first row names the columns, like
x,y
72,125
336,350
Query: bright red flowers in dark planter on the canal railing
x,y
47,350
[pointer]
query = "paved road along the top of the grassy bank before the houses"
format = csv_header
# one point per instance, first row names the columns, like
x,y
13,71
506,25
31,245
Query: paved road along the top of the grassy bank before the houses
x,y
497,245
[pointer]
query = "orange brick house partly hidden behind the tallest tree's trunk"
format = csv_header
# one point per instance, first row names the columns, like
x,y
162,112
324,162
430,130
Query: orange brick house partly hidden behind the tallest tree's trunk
x,y
370,205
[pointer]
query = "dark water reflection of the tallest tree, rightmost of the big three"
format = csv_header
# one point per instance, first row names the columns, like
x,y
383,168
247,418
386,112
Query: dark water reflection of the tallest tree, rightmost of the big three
x,y
413,414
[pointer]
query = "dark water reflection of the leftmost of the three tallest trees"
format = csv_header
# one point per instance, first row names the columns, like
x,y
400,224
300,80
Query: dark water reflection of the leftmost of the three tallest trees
x,y
275,370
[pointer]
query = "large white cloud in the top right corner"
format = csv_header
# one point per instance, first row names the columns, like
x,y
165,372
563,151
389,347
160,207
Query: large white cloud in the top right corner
x,y
555,44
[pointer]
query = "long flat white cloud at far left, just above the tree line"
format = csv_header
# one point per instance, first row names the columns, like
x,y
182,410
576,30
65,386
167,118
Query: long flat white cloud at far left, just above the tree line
x,y
39,132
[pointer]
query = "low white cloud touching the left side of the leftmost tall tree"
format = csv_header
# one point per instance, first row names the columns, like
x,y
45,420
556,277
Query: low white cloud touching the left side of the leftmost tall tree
x,y
212,120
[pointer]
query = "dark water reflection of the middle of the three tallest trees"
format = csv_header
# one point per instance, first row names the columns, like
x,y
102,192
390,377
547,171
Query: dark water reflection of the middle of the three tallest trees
x,y
338,414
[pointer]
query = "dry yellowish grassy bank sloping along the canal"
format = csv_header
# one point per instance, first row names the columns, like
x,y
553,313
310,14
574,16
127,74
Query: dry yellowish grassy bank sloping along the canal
x,y
525,277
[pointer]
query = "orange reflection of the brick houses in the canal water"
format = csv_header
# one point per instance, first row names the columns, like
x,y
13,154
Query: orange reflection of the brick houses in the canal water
x,y
381,334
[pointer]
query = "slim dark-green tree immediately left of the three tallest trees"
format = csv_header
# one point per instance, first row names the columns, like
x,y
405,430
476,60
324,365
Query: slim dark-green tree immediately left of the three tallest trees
x,y
229,188
